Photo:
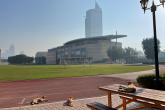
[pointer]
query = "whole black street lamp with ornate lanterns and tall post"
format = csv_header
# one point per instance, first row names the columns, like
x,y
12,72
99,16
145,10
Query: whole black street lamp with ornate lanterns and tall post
x,y
153,8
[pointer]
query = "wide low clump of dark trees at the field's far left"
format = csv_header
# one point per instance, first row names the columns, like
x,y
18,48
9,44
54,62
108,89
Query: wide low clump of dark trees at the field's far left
x,y
20,59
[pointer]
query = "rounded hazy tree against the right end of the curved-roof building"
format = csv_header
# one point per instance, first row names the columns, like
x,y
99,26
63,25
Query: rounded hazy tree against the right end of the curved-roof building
x,y
115,53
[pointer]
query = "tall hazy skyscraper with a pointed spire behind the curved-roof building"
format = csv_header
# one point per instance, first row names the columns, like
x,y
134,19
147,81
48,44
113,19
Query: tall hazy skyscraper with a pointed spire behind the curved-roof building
x,y
93,22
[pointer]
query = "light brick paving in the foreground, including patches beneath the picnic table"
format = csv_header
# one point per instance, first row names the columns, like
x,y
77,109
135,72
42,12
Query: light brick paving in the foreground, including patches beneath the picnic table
x,y
79,104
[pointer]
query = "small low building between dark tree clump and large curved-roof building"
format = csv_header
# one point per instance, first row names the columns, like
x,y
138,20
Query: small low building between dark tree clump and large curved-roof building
x,y
40,58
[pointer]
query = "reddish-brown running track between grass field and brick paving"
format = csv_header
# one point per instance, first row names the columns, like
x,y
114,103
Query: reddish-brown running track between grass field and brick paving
x,y
20,93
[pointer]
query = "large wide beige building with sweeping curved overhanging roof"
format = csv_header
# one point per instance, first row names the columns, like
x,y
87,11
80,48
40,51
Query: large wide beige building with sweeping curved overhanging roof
x,y
84,50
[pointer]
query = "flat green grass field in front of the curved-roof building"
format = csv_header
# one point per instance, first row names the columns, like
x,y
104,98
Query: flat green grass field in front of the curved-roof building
x,y
27,72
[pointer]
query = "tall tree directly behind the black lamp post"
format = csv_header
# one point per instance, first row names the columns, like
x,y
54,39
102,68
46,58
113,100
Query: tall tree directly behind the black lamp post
x,y
148,47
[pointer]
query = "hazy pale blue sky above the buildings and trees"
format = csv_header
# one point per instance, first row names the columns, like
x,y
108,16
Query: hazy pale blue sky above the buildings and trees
x,y
38,25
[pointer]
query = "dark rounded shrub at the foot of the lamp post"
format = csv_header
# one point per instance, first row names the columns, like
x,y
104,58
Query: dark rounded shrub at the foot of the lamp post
x,y
148,81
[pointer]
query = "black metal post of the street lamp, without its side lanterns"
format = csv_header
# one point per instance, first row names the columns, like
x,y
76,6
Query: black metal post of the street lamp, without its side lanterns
x,y
153,10
